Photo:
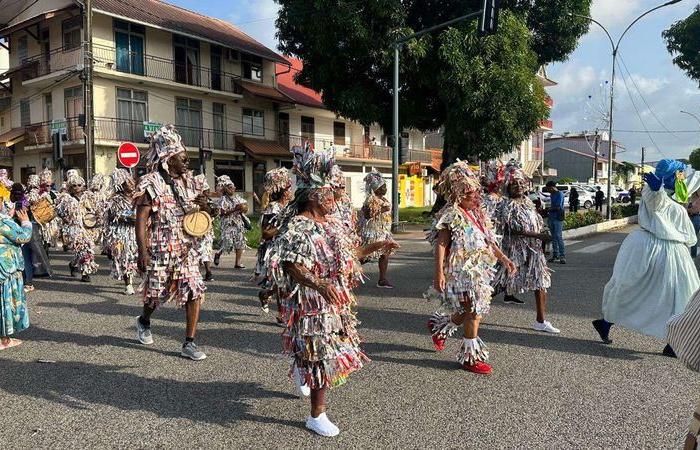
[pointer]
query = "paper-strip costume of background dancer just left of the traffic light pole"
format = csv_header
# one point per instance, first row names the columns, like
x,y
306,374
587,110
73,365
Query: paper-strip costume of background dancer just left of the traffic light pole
x,y
375,220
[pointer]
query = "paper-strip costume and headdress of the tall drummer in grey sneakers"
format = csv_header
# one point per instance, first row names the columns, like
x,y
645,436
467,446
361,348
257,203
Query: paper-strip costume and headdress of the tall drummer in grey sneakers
x,y
173,273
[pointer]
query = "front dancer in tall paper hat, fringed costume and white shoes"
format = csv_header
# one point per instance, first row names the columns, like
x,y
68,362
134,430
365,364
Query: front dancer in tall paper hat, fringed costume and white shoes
x,y
316,266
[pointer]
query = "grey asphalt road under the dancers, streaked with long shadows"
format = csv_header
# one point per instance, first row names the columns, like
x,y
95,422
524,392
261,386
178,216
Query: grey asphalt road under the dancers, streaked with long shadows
x,y
568,391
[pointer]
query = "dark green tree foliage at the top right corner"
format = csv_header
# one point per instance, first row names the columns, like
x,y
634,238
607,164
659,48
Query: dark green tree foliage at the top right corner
x,y
683,41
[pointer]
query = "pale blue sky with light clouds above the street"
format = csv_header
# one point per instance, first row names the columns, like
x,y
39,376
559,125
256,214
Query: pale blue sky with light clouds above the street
x,y
657,88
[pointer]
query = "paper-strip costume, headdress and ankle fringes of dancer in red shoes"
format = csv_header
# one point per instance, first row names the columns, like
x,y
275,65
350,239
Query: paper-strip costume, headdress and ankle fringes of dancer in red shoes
x,y
469,260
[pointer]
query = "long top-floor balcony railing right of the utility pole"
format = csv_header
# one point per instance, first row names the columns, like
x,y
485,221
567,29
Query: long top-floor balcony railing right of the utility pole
x,y
137,63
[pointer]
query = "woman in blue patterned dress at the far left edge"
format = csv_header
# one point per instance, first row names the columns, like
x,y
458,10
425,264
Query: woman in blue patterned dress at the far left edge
x,y
14,315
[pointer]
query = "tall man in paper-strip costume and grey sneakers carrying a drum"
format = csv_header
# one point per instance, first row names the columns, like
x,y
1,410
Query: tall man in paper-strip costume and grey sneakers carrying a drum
x,y
167,254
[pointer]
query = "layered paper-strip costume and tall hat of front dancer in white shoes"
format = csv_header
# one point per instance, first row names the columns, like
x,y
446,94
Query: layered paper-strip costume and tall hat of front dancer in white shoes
x,y
320,336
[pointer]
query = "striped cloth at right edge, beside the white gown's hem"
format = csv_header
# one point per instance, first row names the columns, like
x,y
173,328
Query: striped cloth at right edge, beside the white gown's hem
x,y
683,334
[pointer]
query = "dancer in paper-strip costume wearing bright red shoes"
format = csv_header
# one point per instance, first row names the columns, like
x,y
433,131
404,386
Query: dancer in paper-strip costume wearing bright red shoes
x,y
465,255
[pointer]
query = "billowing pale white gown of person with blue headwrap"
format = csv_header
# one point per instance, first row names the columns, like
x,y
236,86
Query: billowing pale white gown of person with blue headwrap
x,y
654,276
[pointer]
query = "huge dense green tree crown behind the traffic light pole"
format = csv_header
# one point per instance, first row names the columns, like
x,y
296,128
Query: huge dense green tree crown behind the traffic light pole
x,y
483,91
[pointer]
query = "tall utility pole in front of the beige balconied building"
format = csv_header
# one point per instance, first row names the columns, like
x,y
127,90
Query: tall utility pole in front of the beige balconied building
x,y
89,127
